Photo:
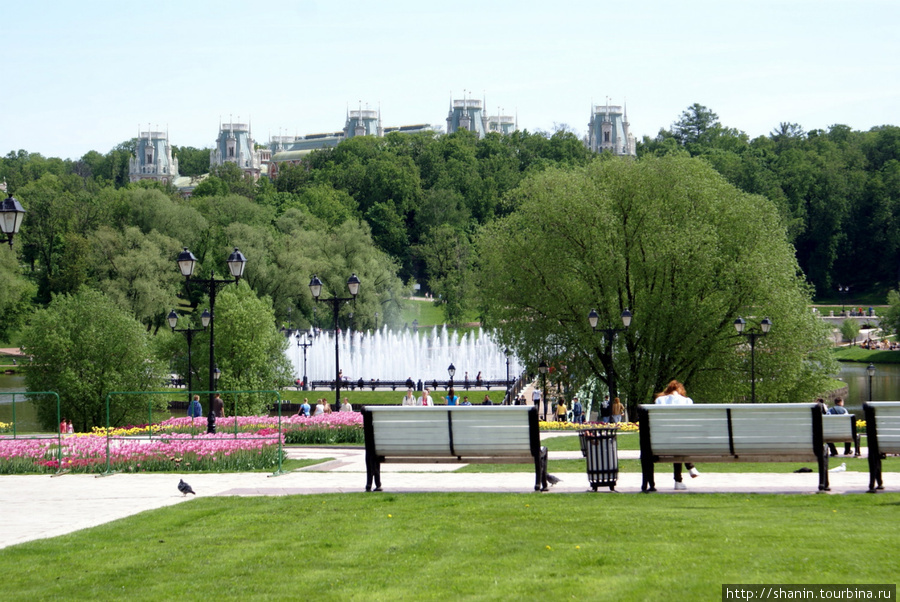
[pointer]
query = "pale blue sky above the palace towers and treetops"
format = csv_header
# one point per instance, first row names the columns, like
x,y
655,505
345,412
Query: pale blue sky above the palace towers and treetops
x,y
88,75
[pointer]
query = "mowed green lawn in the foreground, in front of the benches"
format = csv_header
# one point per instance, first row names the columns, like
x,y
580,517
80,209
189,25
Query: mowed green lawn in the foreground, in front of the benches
x,y
452,546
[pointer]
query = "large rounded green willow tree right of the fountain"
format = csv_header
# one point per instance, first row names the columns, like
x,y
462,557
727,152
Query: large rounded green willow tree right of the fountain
x,y
673,242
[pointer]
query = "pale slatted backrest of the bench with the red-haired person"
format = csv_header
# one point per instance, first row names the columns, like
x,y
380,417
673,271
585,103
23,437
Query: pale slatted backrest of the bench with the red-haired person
x,y
731,429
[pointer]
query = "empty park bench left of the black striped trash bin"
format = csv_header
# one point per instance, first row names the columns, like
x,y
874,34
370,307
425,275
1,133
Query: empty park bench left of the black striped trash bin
x,y
453,434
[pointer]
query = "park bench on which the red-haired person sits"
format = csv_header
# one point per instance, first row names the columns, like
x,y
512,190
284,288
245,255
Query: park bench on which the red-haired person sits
x,y
765,432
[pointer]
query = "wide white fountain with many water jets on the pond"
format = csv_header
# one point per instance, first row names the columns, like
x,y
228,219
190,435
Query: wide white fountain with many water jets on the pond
x,y
390,355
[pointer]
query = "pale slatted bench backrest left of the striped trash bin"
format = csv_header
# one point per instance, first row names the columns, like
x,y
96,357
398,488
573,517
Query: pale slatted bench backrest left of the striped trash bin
x,y
454,431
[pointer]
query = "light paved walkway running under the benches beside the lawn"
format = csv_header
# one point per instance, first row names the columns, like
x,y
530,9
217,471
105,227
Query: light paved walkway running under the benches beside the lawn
x,y
35,507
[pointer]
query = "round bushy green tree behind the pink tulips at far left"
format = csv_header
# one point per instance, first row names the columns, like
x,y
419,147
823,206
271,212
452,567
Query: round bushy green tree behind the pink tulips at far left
x,y
83,347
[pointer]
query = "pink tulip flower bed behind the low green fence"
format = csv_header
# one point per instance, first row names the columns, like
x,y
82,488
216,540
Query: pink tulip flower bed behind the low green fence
x,y
175,452
